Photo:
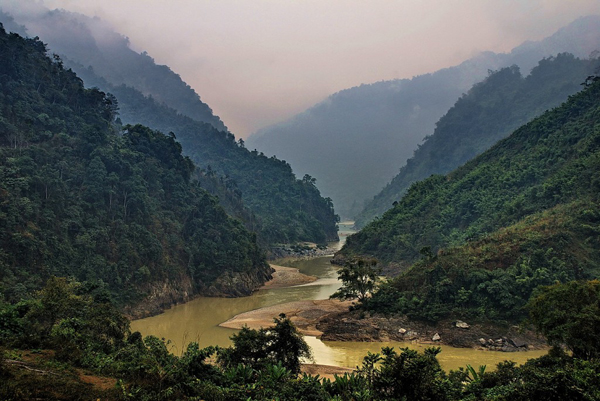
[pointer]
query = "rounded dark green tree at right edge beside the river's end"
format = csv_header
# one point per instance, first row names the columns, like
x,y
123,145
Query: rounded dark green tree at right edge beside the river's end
x,y
569,314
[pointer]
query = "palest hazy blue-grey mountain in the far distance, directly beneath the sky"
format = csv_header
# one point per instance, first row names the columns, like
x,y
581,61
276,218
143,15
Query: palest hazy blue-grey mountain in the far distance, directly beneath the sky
x,y
355,141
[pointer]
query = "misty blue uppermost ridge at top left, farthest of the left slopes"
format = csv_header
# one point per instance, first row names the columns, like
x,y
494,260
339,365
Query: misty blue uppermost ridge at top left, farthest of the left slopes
x,y
90,42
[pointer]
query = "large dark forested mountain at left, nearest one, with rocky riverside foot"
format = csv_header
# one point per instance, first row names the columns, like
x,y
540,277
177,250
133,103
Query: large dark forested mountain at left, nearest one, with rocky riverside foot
x,y
117,209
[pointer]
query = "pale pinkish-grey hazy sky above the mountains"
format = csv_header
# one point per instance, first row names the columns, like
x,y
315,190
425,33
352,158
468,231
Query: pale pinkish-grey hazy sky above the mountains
x,y
257,62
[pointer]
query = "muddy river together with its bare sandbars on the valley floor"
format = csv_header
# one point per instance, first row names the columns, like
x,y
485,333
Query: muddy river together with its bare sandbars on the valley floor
x,y
210,321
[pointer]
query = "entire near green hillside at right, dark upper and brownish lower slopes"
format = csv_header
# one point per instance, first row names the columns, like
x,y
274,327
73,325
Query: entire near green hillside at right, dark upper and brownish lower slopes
x,y
522,215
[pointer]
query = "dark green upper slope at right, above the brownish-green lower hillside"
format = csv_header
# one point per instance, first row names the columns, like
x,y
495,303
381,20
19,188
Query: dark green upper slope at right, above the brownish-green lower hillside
x,y
554,159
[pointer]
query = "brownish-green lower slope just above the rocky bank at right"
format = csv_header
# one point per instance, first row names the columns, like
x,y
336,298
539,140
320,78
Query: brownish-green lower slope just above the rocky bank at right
x,y
494,277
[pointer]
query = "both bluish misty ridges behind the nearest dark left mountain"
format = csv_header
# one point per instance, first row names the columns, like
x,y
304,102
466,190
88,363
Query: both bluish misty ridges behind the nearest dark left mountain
x,y
262,191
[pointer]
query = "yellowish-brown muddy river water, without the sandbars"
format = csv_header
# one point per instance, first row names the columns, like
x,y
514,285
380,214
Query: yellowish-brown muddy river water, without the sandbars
x,y
199,319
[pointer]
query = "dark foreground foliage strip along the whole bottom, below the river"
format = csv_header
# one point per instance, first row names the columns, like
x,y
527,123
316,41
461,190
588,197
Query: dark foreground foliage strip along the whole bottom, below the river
x,y
69,342
